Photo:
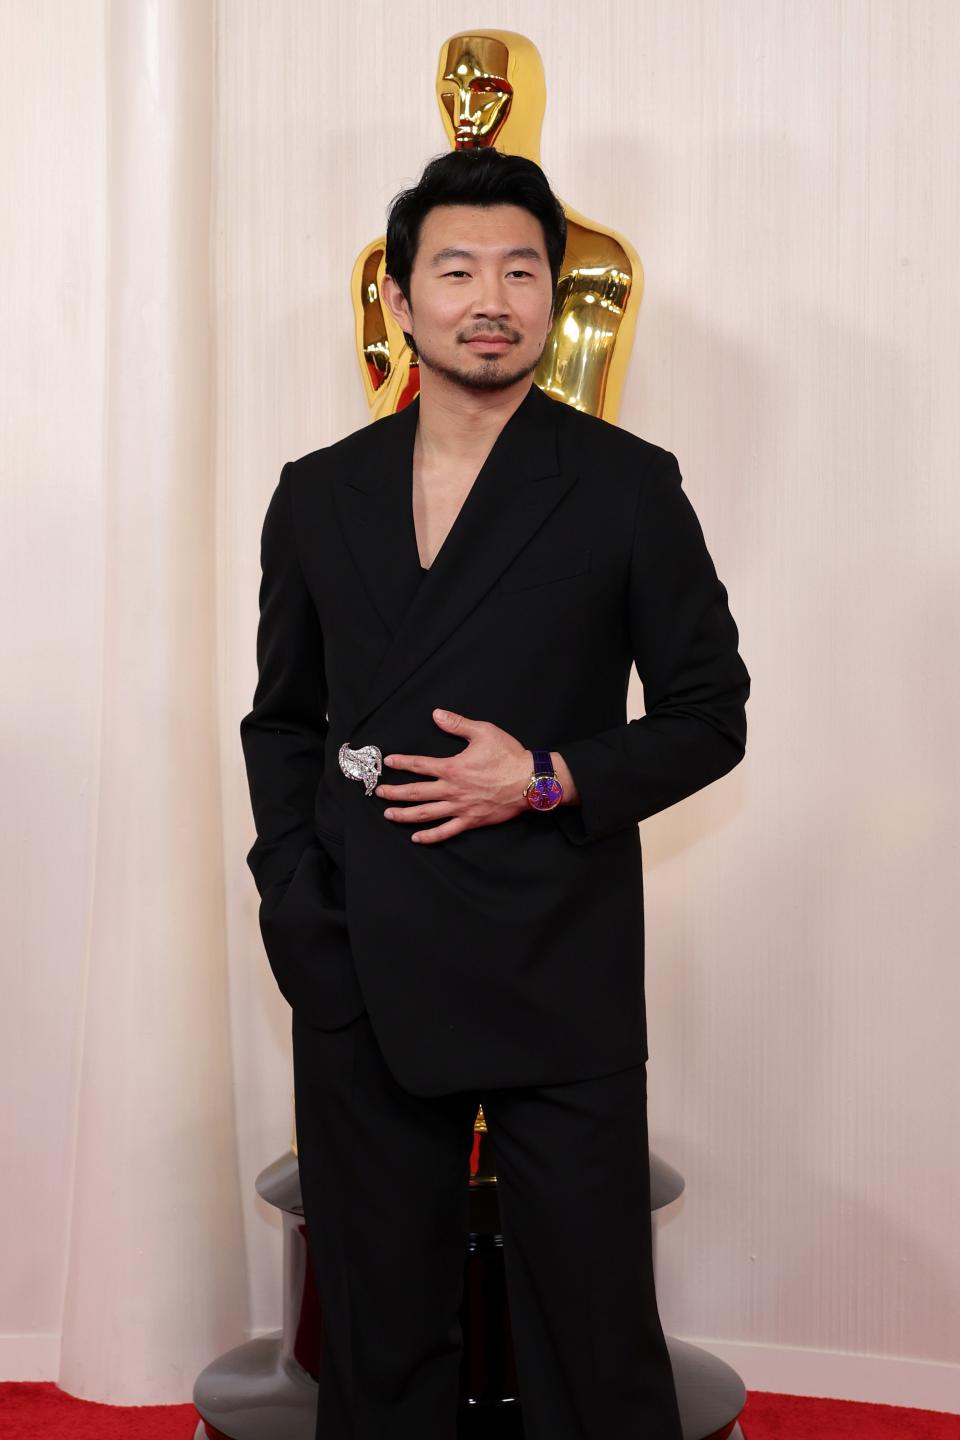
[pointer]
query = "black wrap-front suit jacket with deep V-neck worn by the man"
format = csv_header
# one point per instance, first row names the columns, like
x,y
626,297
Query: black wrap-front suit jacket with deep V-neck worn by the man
x,y
512,954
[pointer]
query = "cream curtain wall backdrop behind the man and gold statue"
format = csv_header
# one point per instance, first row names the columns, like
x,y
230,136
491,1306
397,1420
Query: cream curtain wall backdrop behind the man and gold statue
x,y
186,188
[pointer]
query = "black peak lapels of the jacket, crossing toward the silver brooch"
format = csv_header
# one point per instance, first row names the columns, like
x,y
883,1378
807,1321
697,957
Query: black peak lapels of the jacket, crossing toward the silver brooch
x,y
520,483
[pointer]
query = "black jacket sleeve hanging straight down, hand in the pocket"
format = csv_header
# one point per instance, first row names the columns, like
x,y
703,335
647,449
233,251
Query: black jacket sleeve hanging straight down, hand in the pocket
x,y
284,735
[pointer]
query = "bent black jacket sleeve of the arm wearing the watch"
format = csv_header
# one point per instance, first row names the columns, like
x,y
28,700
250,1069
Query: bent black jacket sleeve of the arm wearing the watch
x,y
696,686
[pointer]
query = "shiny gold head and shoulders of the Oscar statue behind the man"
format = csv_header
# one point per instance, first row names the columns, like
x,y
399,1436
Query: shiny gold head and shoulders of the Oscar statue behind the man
x,y
492,91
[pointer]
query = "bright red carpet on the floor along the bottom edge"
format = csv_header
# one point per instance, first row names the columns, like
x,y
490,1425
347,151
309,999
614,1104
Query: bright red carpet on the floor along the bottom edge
x,y
38,1410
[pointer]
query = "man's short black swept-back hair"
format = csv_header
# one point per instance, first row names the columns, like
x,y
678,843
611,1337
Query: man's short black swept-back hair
x,y
474,176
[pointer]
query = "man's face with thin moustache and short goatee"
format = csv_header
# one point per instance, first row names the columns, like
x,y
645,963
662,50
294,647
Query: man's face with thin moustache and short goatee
x,y
480,271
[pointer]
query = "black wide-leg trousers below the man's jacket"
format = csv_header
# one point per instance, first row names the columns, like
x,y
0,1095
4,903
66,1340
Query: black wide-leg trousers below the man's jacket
x,y
385,1183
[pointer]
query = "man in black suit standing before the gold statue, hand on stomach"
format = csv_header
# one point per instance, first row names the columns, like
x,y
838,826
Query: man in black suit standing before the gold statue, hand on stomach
x,y
453,898
